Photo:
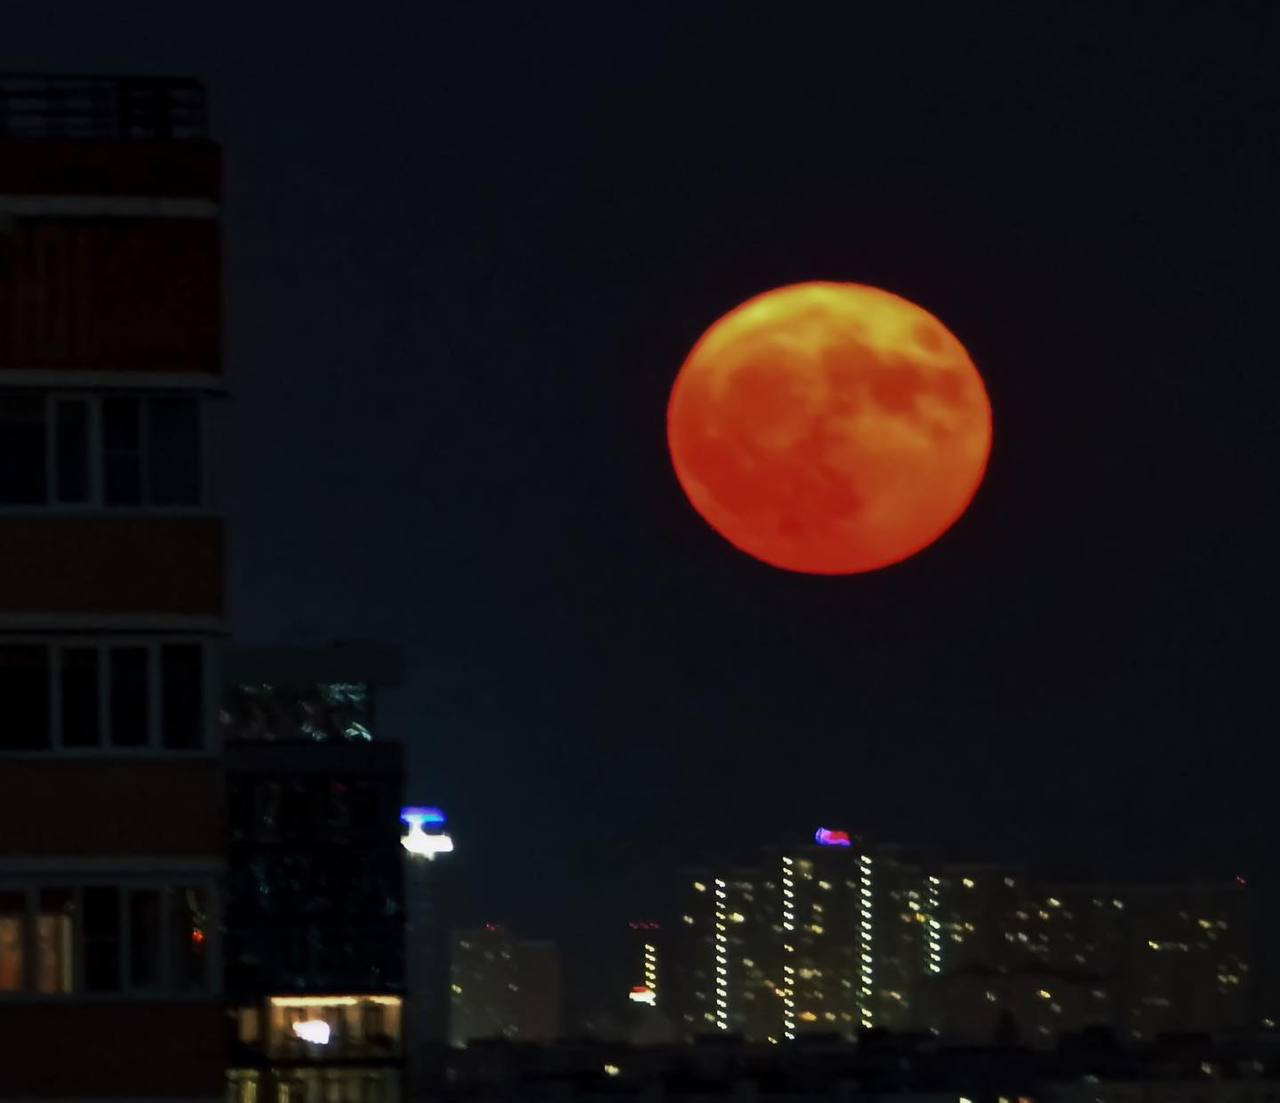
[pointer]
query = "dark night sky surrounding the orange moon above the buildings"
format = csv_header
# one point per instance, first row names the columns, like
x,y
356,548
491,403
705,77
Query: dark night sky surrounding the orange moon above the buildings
x,y
468,249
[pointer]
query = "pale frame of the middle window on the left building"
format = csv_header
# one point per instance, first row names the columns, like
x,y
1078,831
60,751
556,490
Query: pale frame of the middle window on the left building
x,y
154,745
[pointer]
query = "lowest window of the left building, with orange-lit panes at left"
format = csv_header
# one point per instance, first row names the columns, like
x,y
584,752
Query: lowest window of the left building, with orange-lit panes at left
x,y
106,939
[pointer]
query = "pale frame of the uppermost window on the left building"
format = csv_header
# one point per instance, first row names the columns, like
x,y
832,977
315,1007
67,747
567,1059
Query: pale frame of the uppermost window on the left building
x,y
97,501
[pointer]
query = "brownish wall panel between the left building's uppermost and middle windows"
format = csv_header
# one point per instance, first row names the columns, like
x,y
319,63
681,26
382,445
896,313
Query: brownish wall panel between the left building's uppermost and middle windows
x,y
117,566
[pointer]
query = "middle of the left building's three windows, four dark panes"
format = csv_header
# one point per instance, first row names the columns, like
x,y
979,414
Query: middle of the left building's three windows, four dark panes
x,y
84,695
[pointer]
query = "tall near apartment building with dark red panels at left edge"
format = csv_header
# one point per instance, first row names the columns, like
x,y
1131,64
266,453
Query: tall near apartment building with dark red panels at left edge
x,y
112,592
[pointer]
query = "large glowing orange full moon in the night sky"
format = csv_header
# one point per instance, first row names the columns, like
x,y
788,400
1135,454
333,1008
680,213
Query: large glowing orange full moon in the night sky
x,y
830,428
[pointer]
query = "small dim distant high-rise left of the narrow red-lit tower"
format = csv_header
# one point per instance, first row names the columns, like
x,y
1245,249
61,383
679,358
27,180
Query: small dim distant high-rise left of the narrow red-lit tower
x,y
504,987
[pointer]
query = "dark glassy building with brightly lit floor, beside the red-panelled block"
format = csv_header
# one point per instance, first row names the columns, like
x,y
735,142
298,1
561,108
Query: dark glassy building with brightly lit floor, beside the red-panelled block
x,y
316,912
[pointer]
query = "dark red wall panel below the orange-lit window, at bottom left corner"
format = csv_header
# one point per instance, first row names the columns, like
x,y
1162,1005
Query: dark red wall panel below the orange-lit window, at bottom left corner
x,y
104,1051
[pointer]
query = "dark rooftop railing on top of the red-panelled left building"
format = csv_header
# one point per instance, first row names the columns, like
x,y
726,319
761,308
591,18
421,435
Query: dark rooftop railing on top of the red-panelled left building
x,y
103,108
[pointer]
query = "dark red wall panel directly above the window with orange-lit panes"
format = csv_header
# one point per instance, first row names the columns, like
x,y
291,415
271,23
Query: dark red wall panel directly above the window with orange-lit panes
x,y
111,808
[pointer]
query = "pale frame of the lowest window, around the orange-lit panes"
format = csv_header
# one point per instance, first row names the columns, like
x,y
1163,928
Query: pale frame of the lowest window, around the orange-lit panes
x,y
168,985
